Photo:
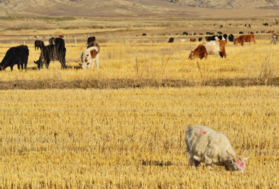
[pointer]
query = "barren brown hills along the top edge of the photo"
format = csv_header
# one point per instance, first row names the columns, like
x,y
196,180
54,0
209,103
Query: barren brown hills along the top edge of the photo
x,y
111,8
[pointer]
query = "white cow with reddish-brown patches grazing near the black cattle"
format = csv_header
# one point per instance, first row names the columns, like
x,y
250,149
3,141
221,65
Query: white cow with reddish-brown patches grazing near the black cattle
x,y
89,56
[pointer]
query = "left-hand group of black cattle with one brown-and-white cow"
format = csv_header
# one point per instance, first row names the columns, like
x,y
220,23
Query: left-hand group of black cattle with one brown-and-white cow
x,y
54,51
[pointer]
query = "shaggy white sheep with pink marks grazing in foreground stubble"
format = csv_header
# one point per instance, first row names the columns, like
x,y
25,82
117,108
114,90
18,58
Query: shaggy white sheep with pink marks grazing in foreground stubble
x,y
211,147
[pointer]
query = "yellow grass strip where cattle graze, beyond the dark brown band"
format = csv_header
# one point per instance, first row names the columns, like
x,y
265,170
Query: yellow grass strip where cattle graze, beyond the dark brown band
x,y
156,61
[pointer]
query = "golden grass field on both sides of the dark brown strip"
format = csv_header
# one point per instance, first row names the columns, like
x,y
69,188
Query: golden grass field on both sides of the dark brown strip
x,y
134,138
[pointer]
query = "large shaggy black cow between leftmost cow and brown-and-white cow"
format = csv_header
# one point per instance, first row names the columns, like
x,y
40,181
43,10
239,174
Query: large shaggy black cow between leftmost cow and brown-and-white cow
x,y
52,53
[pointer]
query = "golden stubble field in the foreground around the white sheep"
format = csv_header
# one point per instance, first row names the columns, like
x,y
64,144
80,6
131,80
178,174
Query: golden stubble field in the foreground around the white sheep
x,y
133,138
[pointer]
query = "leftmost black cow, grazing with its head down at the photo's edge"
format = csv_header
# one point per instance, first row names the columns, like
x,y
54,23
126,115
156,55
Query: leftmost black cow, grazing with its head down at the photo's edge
x,y
15,55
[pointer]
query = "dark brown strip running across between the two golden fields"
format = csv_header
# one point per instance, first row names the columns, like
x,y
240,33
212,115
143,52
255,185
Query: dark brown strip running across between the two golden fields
x,y
130,83
